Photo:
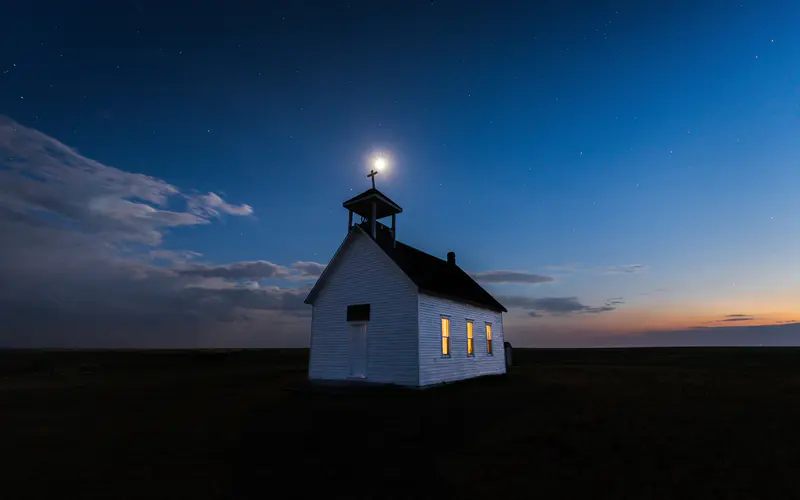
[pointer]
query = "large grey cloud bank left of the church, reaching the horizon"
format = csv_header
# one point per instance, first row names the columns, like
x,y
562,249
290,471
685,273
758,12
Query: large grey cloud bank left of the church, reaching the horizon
x,y
81,262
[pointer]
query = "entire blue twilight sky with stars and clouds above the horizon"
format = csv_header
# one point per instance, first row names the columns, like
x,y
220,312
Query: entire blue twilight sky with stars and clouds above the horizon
x,y
615,173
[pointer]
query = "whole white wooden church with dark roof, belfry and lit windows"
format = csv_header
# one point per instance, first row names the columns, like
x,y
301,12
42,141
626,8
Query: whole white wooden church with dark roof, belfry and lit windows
x,y
385,312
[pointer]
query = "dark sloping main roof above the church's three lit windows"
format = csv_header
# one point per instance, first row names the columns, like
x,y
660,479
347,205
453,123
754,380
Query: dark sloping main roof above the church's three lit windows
x,y
434,275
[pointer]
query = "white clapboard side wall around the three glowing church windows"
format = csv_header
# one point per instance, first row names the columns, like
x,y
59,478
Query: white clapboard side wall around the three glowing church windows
x,y
433,368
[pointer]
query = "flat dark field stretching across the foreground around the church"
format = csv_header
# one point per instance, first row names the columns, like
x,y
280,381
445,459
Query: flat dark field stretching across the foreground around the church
x,y
648,423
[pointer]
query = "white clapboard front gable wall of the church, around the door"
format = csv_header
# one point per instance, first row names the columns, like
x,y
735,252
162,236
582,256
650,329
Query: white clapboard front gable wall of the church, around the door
x,y
366,275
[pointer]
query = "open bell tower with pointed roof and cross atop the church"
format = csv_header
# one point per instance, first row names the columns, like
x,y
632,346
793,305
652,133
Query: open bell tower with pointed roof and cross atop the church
x,y
371,206
